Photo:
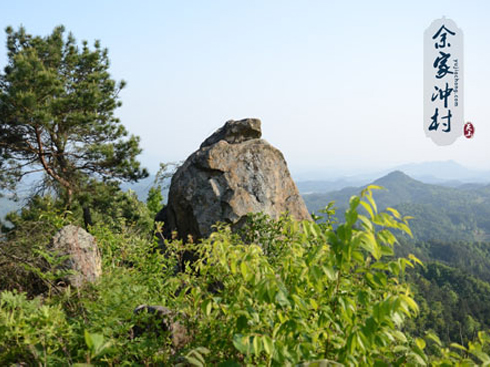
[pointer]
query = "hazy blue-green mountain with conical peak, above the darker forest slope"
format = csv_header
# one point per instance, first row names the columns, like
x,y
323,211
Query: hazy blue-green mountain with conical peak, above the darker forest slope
x,y
439,212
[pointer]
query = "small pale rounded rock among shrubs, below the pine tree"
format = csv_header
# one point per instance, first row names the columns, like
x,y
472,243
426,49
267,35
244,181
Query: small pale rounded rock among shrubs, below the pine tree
x,y
83,254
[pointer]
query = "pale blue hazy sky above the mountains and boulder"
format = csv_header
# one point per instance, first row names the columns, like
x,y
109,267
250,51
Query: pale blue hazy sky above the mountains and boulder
x,y
337,84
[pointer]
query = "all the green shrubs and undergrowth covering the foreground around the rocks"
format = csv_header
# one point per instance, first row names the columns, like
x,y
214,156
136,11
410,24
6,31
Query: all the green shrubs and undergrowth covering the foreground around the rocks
x,y
279,293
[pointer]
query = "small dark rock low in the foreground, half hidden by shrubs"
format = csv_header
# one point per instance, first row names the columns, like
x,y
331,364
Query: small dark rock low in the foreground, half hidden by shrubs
x,y
162,319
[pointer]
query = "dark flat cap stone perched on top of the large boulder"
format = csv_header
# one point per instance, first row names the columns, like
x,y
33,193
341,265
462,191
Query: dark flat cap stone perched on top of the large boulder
x,y
235,132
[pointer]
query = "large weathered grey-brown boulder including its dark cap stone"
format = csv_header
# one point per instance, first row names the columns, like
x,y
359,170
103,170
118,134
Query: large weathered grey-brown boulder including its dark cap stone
x,y
232,174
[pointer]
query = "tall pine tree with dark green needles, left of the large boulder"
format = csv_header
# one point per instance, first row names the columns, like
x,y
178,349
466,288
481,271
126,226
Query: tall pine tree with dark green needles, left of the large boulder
x,y
57,105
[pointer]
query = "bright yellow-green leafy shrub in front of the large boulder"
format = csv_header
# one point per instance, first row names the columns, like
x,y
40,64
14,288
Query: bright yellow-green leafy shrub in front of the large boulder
x,y
312,294
